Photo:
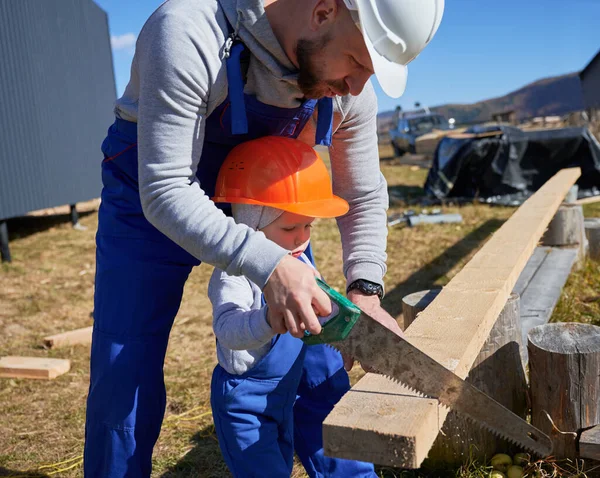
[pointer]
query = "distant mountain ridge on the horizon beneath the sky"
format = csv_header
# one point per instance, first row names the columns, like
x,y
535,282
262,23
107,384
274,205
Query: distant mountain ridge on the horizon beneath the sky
x,y
552,96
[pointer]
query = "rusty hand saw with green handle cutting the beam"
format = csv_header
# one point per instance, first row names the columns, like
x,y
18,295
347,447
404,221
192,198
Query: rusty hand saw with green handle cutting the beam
x,y
356,334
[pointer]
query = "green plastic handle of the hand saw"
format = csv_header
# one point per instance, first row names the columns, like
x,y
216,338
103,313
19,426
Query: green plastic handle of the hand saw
x,y
337,328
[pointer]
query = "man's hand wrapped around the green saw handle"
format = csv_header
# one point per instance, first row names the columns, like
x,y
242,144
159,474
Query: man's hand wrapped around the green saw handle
x,y
294,299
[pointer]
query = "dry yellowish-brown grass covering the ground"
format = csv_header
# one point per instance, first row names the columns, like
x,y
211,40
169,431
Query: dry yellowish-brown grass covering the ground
x,y
48,288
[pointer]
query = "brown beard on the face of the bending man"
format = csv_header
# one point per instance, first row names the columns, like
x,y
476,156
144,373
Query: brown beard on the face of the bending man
x,y
310,75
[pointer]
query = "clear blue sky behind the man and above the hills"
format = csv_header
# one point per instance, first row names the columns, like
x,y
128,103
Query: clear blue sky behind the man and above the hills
x,y
483,49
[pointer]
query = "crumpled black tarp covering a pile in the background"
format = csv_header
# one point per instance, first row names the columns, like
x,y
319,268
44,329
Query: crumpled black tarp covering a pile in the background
x,y
508,167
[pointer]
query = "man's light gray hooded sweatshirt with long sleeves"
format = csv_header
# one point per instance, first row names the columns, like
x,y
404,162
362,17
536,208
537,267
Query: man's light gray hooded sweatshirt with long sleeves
x,y
178,77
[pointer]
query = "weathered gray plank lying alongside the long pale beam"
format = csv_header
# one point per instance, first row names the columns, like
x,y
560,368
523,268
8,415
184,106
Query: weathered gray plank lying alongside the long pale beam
x,y
542,293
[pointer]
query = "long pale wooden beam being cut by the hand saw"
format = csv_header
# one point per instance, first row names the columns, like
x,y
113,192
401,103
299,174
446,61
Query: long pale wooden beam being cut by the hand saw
x,y
451,330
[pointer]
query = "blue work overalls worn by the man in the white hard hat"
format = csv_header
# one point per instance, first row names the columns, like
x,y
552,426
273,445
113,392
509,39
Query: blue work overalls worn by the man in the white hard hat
x,y
140,275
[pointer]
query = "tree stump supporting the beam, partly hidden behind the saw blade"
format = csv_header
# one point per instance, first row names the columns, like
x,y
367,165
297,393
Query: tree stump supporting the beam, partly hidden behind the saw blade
x,y
498,372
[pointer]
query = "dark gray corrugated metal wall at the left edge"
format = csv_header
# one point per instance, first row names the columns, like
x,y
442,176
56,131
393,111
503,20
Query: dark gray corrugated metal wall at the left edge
x,y
57,94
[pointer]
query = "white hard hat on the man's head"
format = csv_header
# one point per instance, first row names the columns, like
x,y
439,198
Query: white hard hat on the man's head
x,y
395,32
